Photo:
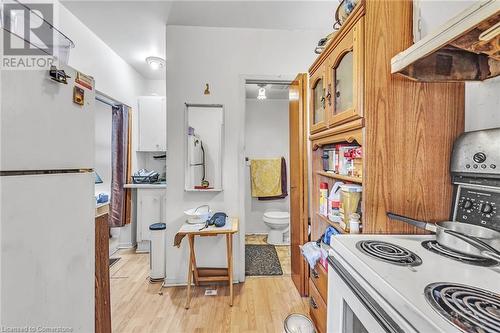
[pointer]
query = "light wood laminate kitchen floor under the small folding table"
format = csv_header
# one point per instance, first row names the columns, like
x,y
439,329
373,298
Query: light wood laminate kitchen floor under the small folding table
x,y
260,304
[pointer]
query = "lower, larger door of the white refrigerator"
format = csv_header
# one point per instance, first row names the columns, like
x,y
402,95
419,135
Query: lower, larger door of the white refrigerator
x,y
47,275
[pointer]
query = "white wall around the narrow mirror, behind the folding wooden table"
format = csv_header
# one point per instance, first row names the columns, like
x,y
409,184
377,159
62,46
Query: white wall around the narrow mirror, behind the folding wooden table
x,y
219,56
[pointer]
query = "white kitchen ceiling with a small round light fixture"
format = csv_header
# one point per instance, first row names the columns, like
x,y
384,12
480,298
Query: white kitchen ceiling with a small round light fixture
x,y
136,29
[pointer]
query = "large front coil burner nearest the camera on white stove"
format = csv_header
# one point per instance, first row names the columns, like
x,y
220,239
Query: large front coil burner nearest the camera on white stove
x,y
471,309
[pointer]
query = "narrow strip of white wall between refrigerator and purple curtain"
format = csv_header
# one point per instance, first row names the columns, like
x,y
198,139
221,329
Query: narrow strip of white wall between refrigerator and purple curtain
x,y
102,146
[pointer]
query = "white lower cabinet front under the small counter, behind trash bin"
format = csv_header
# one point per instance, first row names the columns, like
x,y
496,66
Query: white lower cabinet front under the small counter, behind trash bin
x,y
149,211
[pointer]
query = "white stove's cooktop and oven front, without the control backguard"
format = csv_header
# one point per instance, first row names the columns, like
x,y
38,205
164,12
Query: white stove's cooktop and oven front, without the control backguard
x,y
368,294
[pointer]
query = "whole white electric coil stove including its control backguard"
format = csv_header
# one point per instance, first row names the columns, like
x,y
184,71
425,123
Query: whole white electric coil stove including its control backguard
x,y
410,283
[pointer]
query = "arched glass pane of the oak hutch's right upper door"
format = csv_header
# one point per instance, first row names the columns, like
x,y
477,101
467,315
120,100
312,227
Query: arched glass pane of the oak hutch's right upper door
x,y
343,84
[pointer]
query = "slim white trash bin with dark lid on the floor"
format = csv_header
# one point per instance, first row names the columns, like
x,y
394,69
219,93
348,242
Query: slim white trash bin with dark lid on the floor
x,y
157,253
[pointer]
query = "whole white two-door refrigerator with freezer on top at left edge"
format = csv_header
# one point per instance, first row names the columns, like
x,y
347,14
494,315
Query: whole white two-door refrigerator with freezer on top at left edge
x,y
47,202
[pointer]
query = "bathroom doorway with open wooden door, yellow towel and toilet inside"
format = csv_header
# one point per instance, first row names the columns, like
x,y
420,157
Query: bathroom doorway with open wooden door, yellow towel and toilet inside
x,y
274,161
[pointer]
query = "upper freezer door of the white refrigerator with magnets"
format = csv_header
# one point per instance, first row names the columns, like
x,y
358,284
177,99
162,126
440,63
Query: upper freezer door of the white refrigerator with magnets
x,y
40,126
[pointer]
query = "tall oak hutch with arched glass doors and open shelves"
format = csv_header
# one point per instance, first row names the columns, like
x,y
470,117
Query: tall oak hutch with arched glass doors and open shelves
x,y
406,129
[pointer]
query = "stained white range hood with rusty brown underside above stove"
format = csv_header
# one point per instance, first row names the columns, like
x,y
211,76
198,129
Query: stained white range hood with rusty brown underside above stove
x,y
466,48
